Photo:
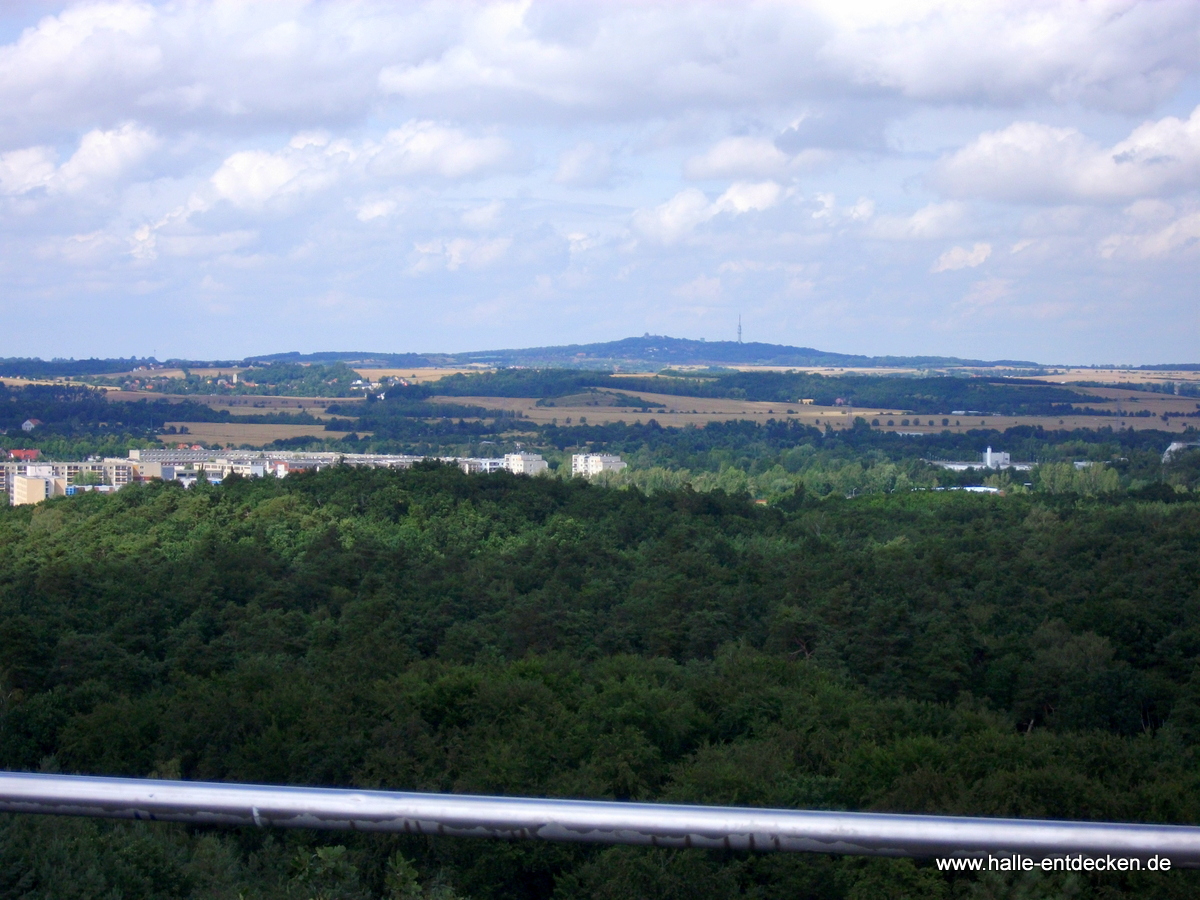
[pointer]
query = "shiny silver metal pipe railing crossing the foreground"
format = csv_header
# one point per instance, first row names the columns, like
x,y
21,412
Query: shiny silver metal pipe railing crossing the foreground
x,y
591,821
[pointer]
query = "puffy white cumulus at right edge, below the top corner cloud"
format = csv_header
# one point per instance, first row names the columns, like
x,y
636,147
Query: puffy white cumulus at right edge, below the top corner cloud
x,y
1031,163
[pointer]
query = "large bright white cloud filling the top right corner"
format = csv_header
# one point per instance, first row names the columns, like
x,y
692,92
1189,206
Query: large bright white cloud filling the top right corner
x,y
1113,55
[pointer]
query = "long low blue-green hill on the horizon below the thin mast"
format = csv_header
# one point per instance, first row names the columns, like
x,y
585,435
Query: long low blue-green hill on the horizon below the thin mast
x,y
651,352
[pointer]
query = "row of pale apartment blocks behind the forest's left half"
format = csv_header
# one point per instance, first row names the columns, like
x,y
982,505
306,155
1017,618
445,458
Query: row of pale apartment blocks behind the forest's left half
x,y
28,479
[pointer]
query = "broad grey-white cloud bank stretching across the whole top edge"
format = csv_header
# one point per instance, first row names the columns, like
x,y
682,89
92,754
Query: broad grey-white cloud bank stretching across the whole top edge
x,y
232,65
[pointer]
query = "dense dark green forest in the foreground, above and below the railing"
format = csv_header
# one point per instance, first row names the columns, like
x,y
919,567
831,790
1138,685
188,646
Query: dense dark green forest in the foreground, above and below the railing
x,y
933,652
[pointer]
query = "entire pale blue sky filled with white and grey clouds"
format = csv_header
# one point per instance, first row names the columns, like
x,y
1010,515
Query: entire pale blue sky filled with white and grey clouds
x,y
217,179
